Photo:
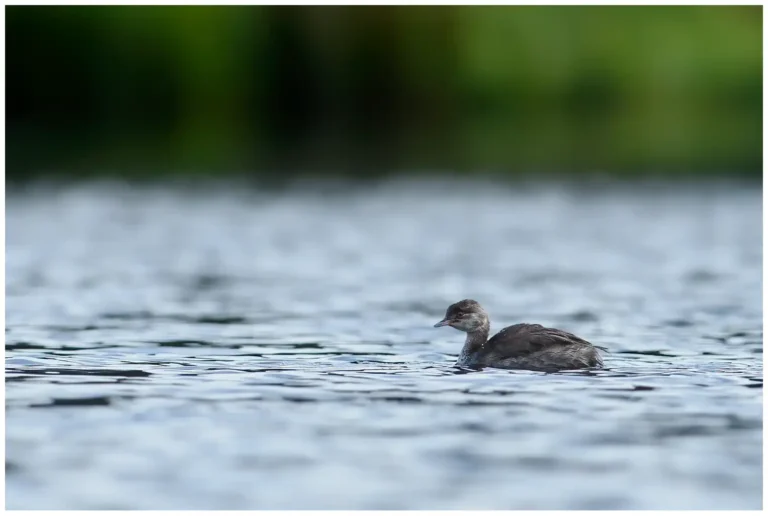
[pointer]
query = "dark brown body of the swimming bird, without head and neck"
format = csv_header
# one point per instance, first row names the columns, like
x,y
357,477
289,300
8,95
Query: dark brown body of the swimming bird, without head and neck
x,y
533,346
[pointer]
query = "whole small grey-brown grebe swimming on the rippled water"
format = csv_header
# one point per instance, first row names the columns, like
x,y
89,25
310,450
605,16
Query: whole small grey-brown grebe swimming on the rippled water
x,y
520,346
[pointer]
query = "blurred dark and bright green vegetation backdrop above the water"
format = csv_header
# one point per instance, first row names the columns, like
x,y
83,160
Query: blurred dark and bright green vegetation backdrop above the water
x,y
360,91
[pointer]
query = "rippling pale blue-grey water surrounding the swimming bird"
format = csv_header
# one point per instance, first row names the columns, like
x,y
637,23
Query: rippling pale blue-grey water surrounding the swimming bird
x,y
230,349
